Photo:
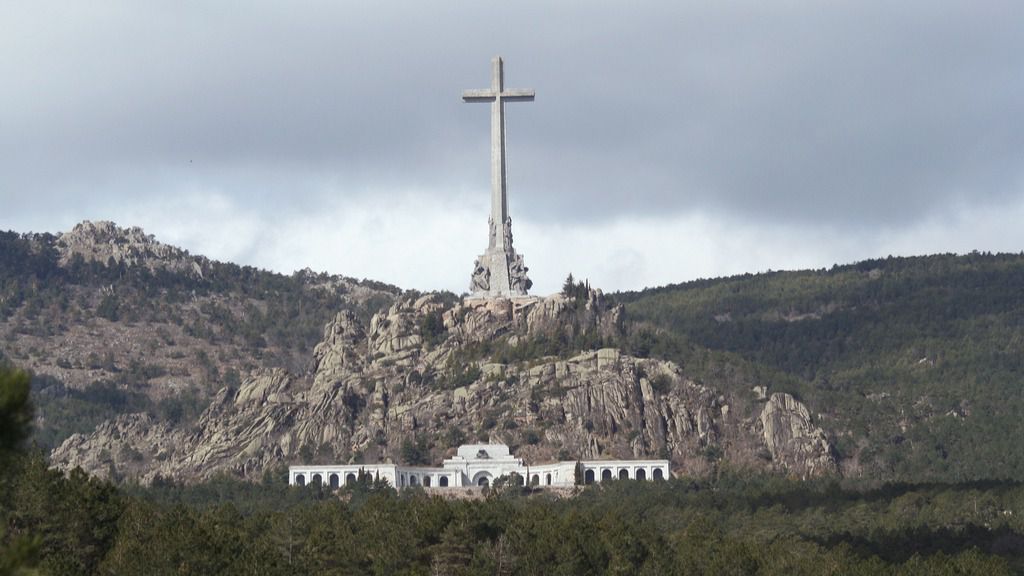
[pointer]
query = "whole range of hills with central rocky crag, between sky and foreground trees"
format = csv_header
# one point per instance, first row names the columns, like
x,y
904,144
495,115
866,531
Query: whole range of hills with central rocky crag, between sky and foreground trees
x,y
153,363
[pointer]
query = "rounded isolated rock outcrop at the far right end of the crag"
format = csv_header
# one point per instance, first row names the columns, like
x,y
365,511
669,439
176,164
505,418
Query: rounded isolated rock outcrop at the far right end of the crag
x,y
795,443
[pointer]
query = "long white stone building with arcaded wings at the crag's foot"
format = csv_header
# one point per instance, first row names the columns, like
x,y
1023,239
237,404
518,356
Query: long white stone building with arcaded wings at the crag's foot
x,y
480,465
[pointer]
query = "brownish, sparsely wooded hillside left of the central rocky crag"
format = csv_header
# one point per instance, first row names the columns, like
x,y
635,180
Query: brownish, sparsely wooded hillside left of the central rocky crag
x,y
112,322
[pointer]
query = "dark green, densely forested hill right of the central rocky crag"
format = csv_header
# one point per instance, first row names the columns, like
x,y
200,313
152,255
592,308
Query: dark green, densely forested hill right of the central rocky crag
x,y
916,365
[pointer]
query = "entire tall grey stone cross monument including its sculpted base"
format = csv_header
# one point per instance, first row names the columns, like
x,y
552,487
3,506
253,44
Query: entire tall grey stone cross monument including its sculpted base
x,y
500,273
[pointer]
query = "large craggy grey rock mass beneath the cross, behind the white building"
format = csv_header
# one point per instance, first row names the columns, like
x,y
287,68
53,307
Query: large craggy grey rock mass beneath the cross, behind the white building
x,y
431,373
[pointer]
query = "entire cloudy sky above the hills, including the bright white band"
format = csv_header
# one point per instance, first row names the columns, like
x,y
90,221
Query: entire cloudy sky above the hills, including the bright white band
x,y
668,142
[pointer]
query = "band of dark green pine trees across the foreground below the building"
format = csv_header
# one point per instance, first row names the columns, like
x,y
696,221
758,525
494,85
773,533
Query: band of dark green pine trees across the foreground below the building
x,y
76,525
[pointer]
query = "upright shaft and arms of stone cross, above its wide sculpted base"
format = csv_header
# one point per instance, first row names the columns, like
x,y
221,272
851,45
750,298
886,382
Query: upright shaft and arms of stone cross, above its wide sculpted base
x,y
498,96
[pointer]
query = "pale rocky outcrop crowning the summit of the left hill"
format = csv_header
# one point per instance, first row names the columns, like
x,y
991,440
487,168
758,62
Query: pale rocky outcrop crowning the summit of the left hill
x,y
104,242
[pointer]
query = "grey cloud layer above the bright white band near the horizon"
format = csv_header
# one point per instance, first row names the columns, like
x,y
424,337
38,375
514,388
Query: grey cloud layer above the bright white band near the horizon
x,y
858,114
